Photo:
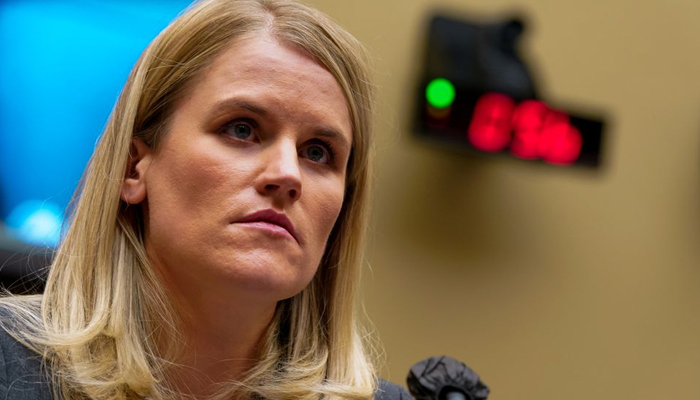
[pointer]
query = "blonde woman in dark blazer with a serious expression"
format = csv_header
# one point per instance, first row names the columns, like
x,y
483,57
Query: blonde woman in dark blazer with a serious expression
x,y
215,245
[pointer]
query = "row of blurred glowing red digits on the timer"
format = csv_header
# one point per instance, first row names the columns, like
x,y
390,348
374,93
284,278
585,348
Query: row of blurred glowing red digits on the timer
x,y
530,130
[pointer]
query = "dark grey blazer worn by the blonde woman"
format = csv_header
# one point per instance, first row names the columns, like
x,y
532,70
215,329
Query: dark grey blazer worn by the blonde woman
x,y
22,376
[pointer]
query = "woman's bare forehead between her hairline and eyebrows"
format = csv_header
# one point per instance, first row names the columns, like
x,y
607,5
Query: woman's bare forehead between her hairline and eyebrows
x,y
278,78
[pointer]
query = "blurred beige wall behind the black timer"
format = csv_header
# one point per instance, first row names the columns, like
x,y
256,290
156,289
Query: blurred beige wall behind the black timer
x,y
552,284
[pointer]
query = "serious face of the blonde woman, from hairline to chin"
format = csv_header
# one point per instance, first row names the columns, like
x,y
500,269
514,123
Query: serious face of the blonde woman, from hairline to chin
x,y
244,188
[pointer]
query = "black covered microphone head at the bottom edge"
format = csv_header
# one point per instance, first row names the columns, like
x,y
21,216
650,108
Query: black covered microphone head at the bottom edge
x,y
444,378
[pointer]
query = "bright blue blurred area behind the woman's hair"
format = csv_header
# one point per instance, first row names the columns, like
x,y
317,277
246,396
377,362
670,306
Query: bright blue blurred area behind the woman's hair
x,y
63,65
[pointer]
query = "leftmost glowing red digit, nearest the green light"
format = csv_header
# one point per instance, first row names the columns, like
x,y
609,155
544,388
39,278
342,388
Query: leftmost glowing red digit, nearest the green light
x,y
490,127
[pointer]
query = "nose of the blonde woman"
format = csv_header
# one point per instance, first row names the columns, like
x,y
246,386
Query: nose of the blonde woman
x,y
281,173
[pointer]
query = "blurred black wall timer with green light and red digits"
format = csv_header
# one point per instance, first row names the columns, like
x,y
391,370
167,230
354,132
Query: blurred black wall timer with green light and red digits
x,y
477,94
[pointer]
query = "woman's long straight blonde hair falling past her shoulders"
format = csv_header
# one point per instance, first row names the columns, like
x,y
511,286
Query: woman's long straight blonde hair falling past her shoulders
x,y
104,314
